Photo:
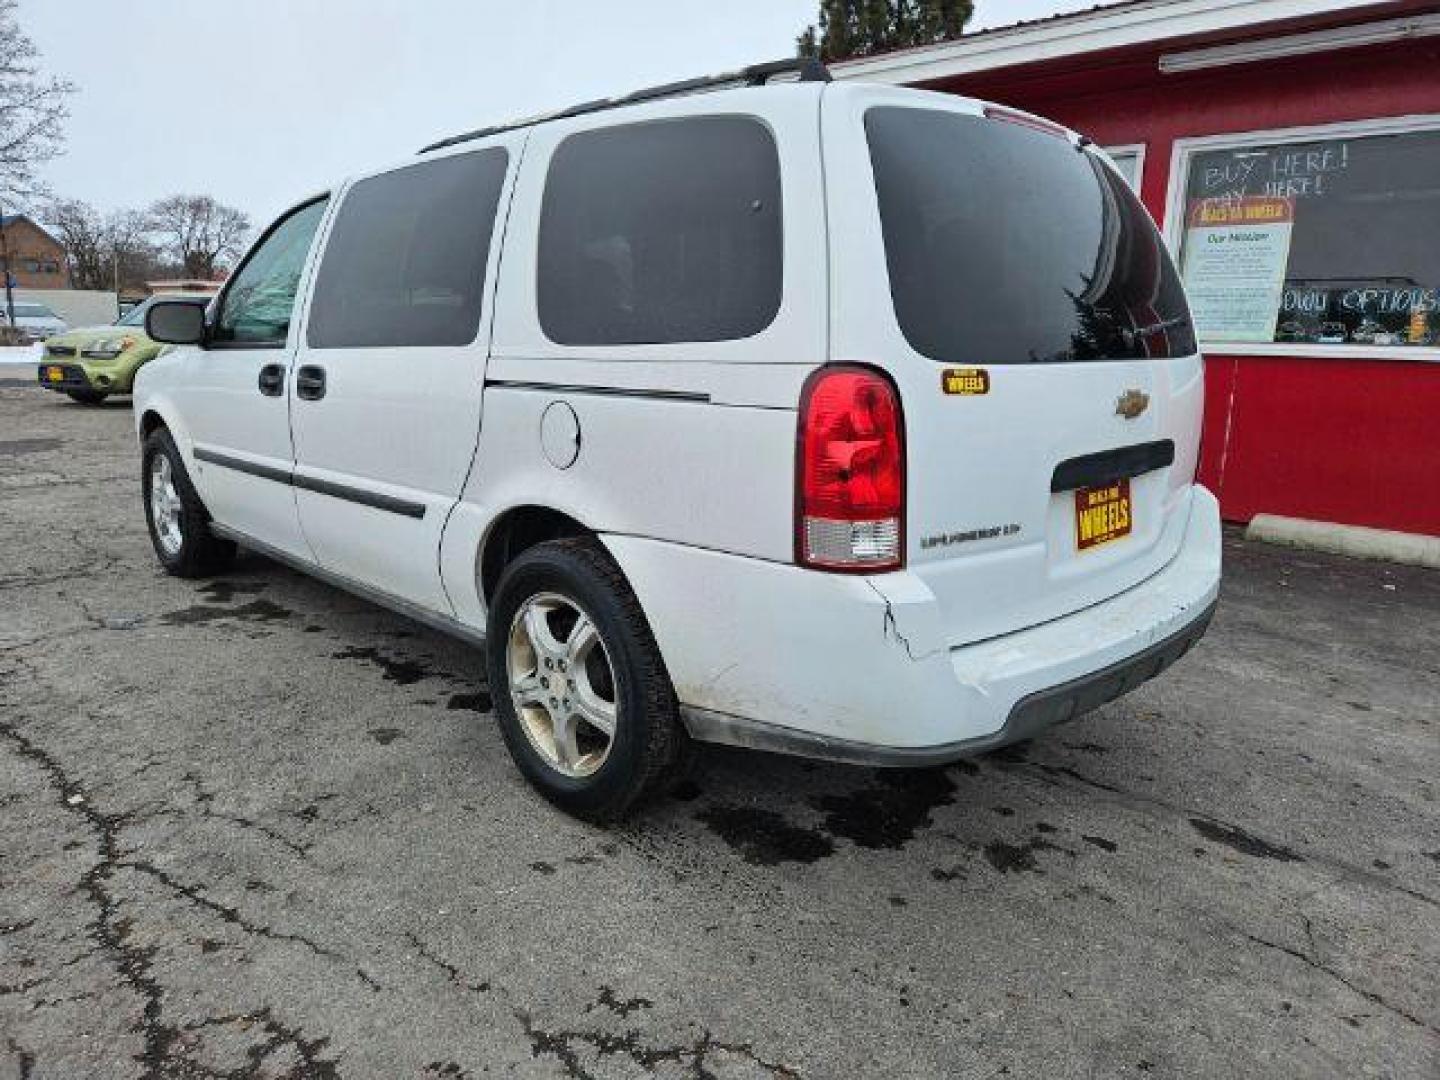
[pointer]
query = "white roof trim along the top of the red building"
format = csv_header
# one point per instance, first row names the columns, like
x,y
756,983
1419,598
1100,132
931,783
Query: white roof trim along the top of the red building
x,y
1081,34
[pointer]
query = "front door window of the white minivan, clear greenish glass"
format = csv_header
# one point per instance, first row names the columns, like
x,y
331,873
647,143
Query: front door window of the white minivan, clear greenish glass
x,y
260,302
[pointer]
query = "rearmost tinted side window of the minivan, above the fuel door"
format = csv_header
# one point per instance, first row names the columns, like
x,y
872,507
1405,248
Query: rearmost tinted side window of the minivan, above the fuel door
x,y
662,233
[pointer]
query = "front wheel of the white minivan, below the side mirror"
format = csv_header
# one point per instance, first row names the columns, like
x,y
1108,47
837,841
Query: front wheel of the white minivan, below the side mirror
x,y
178,519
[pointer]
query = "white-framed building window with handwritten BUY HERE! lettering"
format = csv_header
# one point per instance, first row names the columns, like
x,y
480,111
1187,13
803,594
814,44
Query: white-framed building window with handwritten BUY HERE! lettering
x,y
1314,240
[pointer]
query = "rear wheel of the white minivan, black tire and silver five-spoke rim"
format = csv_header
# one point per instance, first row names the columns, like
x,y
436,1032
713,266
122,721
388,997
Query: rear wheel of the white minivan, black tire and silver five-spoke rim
x,y
582,696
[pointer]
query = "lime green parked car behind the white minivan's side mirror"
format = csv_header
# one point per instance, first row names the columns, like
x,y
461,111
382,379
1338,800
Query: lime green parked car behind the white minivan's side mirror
x,y
91,365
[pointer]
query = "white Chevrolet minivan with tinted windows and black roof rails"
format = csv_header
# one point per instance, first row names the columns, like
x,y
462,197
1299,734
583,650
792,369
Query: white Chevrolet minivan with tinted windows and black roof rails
x,y
832,420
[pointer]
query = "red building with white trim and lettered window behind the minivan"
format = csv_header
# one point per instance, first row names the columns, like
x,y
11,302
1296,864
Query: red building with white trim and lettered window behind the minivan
x,y
1323,342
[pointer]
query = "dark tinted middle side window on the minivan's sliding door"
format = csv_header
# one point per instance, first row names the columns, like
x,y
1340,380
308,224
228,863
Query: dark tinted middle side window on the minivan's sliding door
x,y
405,263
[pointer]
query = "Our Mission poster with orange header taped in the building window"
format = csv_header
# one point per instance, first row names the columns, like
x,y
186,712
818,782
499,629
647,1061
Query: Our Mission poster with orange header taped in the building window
x,y
1236,254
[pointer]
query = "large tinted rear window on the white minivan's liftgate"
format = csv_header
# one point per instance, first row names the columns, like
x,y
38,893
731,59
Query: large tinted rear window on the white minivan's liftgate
x,y
1007,246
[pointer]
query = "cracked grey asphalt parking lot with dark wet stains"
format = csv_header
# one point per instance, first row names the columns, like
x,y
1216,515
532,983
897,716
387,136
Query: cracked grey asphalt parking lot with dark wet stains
x,y
258,829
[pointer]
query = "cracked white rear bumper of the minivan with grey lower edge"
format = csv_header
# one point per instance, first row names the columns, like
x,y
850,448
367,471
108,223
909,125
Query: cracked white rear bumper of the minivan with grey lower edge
x,y
780,659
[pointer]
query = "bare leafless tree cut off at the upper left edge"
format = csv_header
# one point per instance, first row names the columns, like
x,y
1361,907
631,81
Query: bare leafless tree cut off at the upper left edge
x,y
32,112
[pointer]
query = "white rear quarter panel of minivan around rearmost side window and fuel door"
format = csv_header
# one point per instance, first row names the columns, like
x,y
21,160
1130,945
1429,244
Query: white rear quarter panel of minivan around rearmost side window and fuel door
x,y
690,443
